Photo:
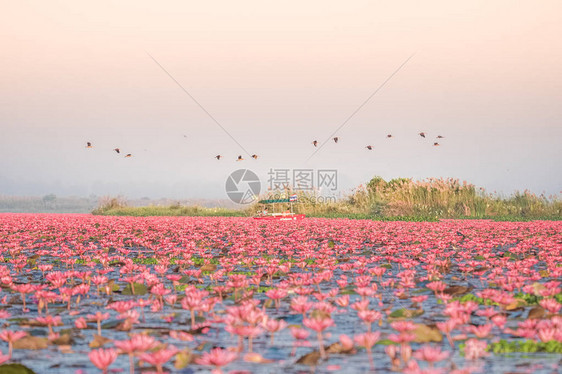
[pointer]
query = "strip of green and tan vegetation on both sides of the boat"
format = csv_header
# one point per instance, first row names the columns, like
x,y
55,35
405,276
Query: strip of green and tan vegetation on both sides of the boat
x,y
398,199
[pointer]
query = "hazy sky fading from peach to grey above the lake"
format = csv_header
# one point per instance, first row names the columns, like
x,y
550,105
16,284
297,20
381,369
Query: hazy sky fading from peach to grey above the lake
x,y
487,75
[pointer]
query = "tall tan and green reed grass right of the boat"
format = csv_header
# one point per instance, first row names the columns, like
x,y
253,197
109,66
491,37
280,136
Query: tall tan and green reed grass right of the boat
x,y
433,198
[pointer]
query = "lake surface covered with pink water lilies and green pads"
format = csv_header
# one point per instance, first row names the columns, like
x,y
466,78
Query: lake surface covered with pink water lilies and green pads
x,y
91,294
